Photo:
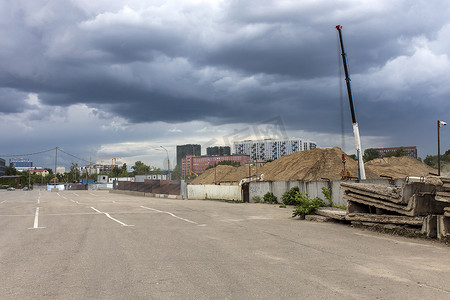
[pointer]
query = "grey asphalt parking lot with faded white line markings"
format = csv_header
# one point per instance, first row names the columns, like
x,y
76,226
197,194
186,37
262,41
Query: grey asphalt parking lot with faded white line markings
x,y
100,245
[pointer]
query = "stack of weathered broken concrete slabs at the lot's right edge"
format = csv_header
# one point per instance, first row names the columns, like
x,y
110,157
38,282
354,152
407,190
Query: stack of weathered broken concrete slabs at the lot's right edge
x,y
412,205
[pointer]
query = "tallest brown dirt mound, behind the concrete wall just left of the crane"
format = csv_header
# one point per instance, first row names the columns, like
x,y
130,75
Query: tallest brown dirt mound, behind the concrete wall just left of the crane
x,y
312,165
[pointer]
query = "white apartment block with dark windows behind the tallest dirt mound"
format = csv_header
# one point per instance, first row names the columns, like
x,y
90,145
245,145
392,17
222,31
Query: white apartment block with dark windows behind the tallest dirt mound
x,y
271,149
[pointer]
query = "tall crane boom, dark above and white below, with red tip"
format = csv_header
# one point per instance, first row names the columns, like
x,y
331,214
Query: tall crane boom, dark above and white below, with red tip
x,y
361,171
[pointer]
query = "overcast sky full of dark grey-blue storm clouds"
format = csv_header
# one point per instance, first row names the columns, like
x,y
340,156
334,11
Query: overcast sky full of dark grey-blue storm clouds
x,y
122,78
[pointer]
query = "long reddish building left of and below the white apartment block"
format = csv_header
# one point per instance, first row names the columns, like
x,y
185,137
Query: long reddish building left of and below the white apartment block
x,y
198,164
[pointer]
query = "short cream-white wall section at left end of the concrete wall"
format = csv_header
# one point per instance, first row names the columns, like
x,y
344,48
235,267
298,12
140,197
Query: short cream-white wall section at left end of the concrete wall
x,y
210,191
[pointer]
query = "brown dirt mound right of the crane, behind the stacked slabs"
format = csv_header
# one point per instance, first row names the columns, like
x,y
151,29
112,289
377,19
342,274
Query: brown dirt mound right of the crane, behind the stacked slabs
x,y
399,167
